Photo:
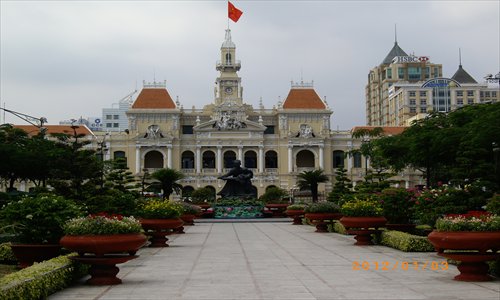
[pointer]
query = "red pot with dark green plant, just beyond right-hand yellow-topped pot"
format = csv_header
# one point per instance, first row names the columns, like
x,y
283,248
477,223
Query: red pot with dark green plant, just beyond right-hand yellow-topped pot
x,y
321,212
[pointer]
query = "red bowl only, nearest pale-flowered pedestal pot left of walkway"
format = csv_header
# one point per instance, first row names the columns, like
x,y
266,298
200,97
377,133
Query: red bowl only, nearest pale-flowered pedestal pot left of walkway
x,y
104,244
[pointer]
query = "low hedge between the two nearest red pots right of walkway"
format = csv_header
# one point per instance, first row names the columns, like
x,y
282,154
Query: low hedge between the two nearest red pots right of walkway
x,y
405,242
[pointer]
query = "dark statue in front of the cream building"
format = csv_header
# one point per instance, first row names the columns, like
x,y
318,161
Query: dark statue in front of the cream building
x,y
238,183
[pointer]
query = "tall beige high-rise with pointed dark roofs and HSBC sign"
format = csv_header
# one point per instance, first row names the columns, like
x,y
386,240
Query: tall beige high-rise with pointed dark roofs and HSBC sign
x,y
404,88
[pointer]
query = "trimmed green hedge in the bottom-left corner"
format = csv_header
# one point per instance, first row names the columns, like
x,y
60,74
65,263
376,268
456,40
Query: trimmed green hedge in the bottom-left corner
x,y
41,279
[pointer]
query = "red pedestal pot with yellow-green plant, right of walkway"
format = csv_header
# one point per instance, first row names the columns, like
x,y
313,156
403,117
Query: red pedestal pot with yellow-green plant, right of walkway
x,y
362,218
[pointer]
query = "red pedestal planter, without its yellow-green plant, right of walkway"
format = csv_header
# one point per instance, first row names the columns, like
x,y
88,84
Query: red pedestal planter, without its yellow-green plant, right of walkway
x,y
362,228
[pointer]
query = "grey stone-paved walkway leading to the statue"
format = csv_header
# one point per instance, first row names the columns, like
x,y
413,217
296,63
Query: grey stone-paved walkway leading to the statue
x,y
278,261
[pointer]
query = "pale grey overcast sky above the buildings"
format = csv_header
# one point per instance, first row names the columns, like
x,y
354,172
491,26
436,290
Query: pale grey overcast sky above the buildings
x,y
66,59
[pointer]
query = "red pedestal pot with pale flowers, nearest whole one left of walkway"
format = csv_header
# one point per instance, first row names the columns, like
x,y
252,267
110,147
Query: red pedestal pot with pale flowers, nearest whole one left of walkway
x,y
103,241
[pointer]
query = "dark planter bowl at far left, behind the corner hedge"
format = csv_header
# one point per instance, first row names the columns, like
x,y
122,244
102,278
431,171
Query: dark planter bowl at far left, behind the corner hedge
x,y
27,254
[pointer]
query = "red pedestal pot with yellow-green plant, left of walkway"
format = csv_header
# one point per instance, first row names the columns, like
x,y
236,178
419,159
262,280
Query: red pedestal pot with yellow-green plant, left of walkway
x,y
160,218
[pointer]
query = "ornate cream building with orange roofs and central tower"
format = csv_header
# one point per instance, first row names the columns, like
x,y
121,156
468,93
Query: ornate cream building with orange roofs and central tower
x,y
275,143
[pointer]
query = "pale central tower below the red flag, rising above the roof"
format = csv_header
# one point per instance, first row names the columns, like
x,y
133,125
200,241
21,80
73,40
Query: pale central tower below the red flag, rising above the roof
x,y
228,90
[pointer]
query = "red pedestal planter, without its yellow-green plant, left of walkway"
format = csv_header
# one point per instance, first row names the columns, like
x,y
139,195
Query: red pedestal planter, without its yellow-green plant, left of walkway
x,y
159,229
